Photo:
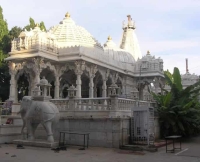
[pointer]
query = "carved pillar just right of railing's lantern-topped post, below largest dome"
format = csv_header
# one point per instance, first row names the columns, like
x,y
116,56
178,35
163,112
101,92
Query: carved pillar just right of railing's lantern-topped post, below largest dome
x,y
79,67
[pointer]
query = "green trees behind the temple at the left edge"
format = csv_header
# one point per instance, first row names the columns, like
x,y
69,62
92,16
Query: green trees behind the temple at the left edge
x,y
6,38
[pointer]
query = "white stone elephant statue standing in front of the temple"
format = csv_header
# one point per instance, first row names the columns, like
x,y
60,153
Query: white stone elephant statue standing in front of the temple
x,y
35,112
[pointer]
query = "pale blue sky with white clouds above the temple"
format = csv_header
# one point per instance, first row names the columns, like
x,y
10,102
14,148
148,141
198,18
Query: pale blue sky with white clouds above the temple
x,y
169,29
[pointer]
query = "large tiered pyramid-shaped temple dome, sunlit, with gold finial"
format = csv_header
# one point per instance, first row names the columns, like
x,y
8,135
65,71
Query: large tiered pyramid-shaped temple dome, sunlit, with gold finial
x,y
69,34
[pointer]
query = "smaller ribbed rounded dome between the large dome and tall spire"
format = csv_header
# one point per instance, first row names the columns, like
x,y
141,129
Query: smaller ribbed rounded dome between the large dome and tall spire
x,y
116,53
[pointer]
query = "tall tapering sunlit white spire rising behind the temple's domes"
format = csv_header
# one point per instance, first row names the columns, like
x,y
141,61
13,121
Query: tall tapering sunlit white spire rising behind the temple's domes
x,y
129,40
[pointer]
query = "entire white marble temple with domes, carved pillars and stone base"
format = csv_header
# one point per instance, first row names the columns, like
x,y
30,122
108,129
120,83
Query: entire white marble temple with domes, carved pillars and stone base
x,y
95,87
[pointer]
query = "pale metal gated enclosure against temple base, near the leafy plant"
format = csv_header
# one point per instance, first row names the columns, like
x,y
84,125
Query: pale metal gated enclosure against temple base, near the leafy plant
x,y
142,125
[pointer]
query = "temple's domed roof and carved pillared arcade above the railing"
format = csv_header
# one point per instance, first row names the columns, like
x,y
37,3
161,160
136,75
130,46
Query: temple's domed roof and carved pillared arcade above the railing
x,y
67,54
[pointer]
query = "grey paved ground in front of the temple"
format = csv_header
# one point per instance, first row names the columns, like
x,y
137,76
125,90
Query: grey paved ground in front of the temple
x,y
189,153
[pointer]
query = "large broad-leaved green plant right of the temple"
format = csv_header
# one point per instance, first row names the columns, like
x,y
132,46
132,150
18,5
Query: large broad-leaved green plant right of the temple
x,y
178,109
